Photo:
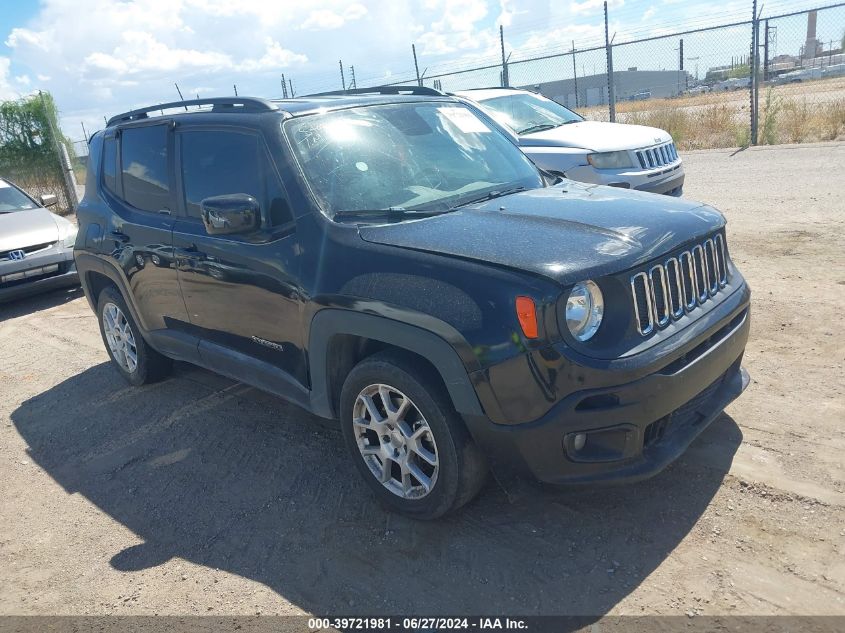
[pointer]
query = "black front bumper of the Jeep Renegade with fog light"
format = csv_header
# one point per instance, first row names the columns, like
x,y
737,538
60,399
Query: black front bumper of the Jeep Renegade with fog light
x,y
633,428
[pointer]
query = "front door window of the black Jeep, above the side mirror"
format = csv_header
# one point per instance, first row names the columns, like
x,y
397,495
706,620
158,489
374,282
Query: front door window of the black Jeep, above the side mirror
x,y
221,162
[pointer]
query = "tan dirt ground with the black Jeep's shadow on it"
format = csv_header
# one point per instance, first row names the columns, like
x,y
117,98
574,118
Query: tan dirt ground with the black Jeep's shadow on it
x,y
202,496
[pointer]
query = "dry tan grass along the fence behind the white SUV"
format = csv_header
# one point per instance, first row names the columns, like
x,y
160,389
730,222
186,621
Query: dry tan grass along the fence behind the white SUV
x,y
796,113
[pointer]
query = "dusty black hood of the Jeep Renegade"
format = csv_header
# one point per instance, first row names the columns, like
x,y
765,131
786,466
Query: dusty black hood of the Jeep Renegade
x,y
568,232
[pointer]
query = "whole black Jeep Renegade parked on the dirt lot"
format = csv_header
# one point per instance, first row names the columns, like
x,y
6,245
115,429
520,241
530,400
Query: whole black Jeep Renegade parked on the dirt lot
x,y
392,261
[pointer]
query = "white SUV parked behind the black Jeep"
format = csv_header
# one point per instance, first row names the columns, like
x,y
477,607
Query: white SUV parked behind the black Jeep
x,y
561,141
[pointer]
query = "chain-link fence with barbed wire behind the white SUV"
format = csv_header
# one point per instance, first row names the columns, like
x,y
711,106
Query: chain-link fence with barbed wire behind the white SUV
x,y
766,79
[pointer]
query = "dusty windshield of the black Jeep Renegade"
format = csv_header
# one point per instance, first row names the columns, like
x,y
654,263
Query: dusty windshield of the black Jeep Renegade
x,y
430,156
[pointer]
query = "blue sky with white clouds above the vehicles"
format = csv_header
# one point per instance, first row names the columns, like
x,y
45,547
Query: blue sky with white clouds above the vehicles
x,y
99,57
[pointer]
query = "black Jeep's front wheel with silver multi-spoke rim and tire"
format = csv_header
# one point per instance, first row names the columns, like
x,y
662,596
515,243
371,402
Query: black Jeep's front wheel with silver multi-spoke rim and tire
x,y
406,439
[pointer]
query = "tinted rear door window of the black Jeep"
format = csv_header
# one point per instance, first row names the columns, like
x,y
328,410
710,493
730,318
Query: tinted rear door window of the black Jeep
x,y
144,173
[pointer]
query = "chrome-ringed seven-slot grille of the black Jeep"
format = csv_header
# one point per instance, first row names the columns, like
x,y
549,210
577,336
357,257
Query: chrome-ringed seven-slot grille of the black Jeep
x,y
668,291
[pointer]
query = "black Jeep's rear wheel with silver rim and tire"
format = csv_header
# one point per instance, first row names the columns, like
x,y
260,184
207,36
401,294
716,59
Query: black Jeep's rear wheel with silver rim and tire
x,y
136,361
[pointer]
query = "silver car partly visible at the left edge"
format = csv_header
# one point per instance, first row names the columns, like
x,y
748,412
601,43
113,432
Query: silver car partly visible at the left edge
x,y
36,246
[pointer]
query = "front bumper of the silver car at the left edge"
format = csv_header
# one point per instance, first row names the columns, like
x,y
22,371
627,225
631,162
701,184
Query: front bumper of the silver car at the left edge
x,y
49,269
